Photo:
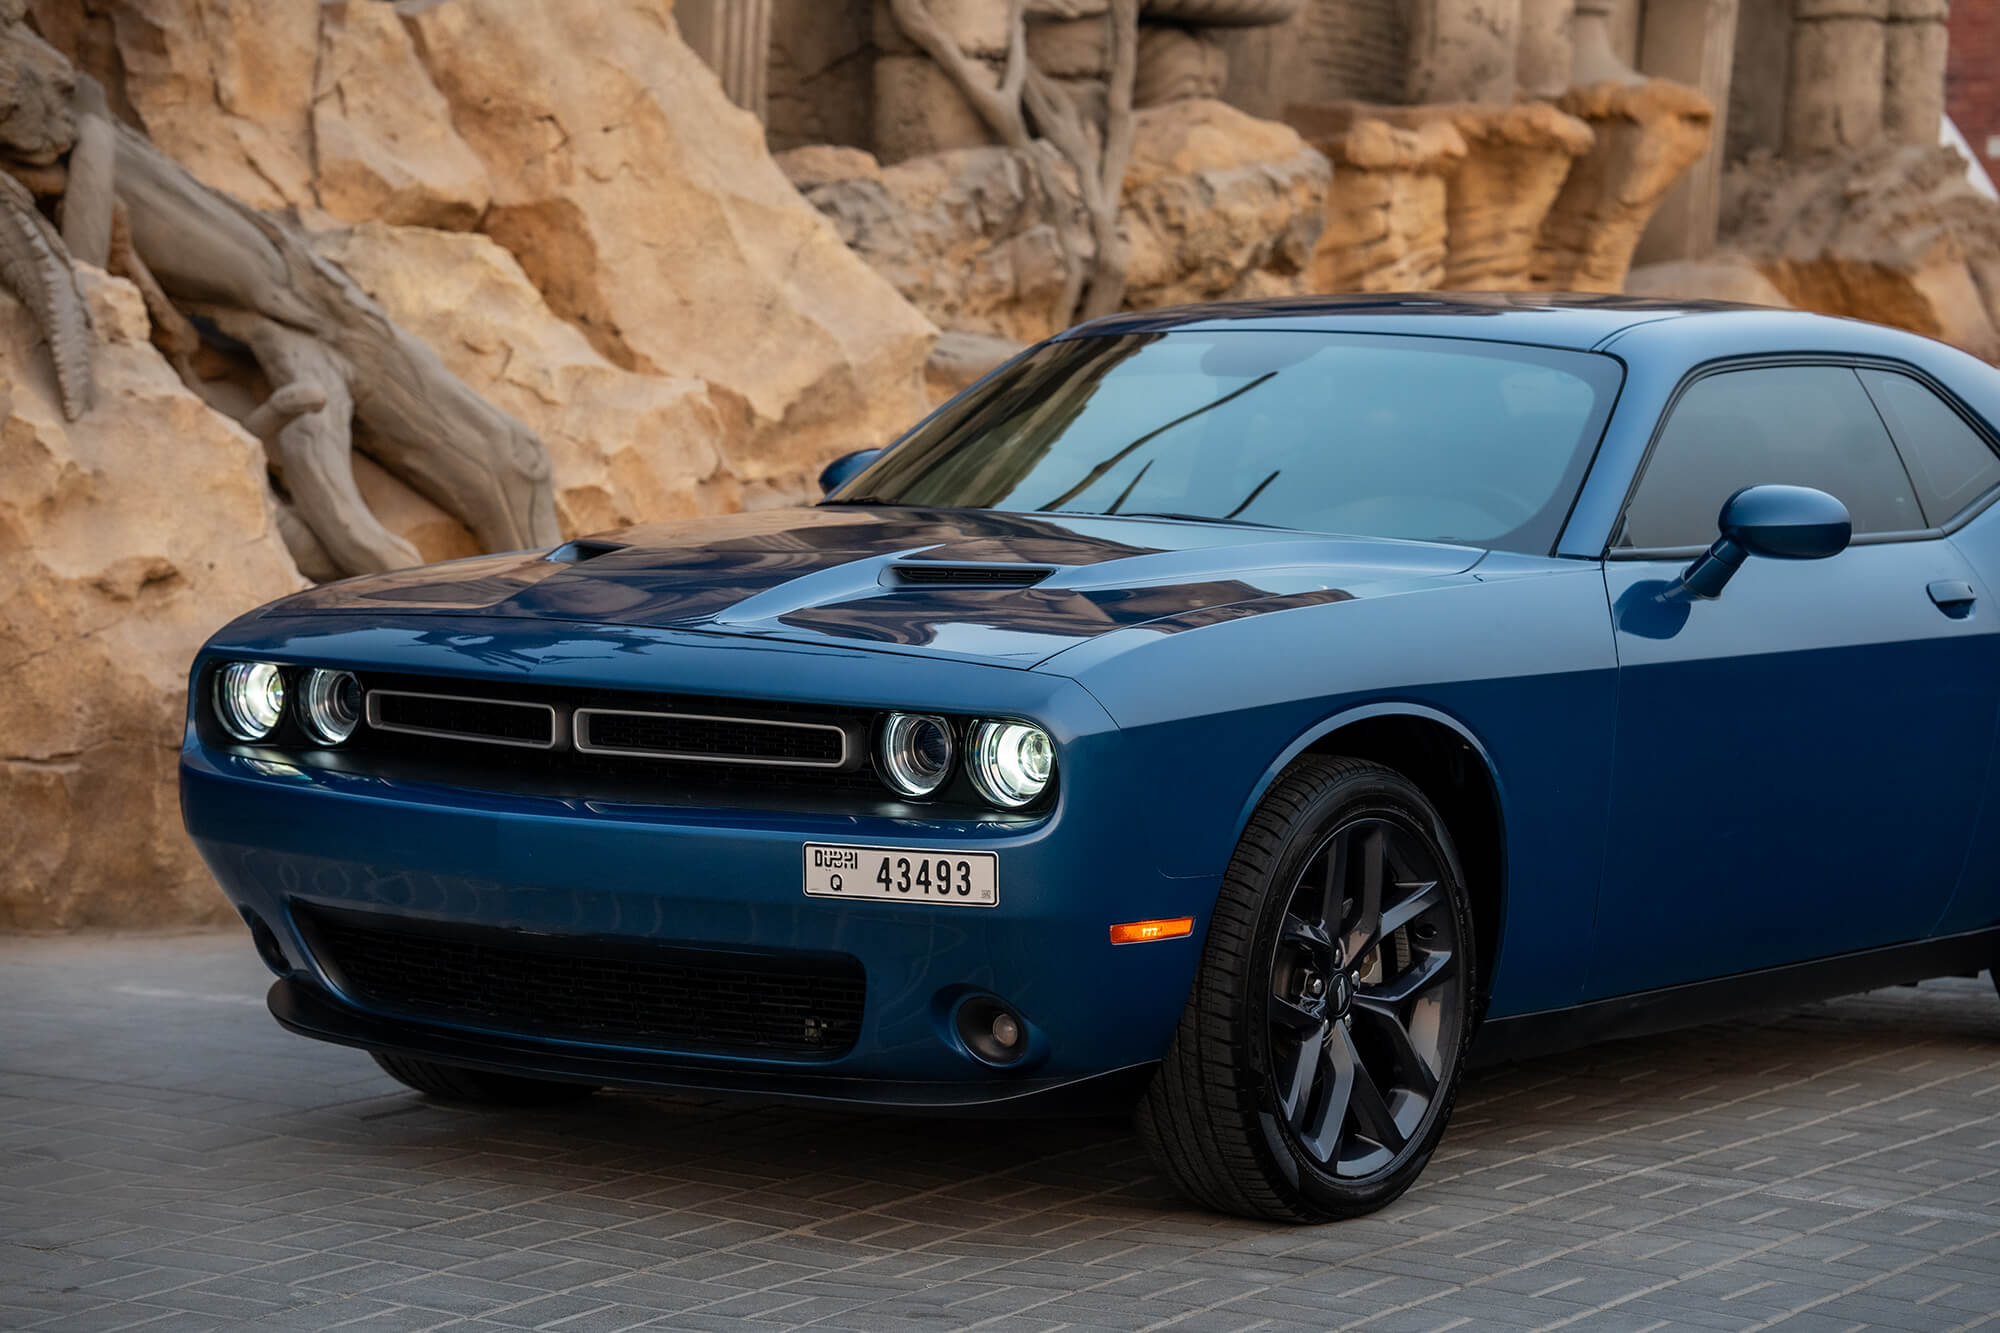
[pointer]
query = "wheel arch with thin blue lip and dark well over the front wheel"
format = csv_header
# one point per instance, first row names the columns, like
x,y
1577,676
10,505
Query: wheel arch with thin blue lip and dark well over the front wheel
x,y
1453,768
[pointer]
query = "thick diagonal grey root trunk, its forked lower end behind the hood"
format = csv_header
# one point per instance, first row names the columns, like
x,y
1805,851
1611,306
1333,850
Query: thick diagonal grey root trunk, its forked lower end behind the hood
x,y
319,337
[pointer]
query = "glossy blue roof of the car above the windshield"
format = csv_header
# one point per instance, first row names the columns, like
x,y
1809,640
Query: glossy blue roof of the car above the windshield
x,y
1547,319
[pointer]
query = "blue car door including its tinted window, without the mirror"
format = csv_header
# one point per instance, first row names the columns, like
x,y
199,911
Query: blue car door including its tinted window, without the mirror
x,y
1799,762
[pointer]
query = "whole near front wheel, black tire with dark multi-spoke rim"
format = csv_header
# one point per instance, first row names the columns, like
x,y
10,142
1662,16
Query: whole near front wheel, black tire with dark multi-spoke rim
x,y
1249,1116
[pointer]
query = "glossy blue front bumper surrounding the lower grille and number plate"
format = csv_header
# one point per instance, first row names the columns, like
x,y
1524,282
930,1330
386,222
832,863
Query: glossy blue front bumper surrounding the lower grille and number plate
x,y
281,836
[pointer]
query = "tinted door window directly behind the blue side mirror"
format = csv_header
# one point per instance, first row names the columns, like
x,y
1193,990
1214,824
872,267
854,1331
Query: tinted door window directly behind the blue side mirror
x,y
1795,425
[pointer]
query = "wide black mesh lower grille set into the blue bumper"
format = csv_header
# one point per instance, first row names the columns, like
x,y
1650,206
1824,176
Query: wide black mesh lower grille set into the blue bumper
x,y
593,990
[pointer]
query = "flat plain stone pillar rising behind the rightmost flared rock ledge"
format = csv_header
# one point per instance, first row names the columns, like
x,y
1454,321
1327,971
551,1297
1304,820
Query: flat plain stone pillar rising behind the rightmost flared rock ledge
x,y
1693,43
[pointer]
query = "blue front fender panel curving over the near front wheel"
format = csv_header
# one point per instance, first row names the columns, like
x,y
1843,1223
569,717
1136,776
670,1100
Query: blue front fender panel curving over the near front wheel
x,y
1519,663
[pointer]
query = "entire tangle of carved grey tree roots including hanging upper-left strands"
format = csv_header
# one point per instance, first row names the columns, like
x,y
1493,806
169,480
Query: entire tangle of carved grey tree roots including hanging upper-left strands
x,y
333,357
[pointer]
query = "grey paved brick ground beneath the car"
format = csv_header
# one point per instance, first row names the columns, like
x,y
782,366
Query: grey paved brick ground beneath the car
x,y
171,1160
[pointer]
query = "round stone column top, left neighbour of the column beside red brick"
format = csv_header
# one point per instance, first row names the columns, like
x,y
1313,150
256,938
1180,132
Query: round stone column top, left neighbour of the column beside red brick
x,y
1839,53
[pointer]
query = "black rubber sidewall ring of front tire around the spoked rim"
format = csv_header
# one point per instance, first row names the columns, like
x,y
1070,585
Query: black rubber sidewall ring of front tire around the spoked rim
x,y
1375,794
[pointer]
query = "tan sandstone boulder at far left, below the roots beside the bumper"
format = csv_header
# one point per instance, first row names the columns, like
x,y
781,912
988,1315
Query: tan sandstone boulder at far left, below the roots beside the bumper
x,y
125,539
